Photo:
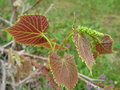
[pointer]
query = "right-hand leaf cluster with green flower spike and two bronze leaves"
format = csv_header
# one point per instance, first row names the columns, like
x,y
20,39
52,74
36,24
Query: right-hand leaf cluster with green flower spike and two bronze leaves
x,y
102,46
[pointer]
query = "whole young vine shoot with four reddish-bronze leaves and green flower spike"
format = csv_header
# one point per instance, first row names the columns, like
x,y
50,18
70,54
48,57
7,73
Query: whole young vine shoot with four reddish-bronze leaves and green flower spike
x,y
31,29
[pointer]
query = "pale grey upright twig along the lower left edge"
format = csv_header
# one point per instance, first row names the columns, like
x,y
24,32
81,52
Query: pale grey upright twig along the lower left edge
x,y
3,85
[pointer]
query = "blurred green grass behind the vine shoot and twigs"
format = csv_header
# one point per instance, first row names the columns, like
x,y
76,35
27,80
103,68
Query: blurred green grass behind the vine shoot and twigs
x,y
101,15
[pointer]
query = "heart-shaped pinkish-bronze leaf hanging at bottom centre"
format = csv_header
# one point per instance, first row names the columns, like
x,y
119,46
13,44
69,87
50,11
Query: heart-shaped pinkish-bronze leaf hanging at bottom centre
x,y
64,69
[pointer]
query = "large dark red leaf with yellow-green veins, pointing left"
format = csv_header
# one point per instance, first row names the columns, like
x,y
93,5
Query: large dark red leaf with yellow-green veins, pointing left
x,y
29,28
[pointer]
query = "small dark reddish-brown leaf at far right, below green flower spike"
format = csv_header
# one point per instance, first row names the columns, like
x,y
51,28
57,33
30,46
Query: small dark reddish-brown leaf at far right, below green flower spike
x,y
105,47
